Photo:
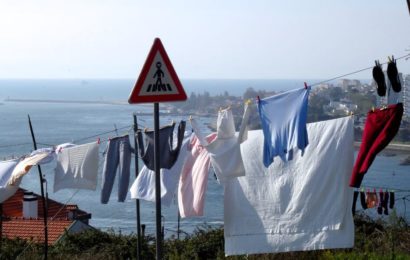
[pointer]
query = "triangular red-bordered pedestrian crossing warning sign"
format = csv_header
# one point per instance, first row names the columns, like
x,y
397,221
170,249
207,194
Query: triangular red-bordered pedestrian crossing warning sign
x,y
158,81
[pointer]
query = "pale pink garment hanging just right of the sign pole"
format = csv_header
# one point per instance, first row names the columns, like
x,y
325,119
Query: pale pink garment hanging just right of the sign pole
x,y
194,179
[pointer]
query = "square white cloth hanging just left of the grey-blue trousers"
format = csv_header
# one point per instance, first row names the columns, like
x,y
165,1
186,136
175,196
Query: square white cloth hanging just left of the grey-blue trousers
x,y
77,167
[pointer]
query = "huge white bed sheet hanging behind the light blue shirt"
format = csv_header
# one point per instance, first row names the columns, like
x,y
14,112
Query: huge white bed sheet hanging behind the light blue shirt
x,y
303,204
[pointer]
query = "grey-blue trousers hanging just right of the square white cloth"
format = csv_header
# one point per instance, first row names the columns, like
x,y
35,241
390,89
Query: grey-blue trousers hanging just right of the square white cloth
x,y
118,155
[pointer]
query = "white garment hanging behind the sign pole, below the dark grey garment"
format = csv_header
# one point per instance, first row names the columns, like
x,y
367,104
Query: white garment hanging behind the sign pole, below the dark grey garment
x,y
144,185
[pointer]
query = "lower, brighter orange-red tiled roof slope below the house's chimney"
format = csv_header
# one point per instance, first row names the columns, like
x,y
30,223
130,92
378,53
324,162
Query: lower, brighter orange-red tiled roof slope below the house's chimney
x,y
34,229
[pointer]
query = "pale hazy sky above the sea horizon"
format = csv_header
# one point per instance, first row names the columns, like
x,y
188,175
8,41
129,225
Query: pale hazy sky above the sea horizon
x,y
230,39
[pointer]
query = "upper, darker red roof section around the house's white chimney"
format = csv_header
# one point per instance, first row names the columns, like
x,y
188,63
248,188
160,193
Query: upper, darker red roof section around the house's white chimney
x,y
13,207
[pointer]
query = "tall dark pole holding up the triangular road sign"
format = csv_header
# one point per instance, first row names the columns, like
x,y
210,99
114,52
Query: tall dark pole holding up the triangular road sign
x,y
157,182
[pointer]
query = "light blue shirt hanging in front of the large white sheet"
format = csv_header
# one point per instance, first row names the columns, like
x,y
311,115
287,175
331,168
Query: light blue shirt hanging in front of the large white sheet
x,y
283,119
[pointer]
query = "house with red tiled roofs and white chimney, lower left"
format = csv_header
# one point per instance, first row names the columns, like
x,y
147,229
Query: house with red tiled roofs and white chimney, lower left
x,y
22,216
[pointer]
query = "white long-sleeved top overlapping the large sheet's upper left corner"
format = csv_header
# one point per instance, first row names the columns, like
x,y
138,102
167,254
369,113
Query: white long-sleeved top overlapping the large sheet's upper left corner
x,y
224,151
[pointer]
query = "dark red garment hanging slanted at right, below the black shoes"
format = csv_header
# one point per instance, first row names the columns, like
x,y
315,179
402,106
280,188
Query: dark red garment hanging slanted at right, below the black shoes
x,y
380,128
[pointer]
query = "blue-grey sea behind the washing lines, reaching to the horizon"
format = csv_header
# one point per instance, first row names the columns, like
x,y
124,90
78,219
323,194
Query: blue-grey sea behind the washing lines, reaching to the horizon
x,y
56,123
